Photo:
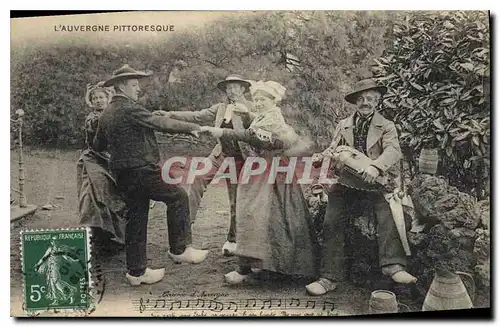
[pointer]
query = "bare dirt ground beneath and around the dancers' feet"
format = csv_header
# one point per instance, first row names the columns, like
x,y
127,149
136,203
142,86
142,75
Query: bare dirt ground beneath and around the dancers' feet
x,y
209,232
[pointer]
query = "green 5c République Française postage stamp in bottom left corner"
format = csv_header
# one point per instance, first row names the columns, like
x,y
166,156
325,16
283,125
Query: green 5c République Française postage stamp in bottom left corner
x,y
56,268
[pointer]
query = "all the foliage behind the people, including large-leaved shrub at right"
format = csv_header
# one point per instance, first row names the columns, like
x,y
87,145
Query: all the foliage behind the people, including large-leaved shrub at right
x,y
436,66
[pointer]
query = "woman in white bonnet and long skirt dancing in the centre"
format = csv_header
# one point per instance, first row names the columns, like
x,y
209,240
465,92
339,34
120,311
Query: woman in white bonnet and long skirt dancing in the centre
x,y
274,230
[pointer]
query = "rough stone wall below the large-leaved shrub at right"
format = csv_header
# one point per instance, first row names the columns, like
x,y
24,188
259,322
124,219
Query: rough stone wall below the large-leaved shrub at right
x,y
453,237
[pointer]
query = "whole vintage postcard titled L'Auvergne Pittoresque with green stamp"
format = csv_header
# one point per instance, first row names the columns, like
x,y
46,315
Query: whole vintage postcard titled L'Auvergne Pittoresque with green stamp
x,y
250,163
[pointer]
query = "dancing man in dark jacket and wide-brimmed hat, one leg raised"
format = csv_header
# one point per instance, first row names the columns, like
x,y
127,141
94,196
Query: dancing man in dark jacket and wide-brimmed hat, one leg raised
x,y
126,130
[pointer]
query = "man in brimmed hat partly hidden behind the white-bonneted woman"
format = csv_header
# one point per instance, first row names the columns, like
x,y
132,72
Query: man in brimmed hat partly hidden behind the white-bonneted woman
x,y
235,113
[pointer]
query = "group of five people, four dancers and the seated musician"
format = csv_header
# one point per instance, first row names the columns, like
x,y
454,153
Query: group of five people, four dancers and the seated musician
x,y
270,227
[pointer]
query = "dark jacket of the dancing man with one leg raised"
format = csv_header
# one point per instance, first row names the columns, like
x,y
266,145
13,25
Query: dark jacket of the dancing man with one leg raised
x,y
126,130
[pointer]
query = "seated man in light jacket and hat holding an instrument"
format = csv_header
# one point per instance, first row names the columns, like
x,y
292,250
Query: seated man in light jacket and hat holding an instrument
x,y
368,132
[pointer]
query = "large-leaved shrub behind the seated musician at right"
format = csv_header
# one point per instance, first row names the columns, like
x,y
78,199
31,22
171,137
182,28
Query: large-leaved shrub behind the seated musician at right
x,y
437,74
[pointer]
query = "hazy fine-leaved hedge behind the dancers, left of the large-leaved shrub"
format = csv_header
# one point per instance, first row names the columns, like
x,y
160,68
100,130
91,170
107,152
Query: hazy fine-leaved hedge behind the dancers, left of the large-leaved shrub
x,y
316,55
